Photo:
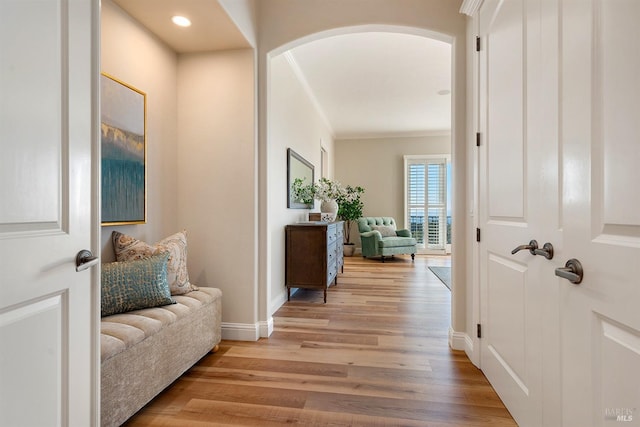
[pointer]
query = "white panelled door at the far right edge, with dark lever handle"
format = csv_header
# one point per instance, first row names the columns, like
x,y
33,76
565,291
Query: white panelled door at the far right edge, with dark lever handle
x,y
601,199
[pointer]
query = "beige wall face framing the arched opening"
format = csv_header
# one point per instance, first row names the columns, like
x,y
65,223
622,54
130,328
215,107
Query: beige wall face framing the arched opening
x,y
284,24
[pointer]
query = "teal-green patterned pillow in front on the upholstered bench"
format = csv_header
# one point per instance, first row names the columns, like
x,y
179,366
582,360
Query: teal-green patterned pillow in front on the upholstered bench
x,y
132,285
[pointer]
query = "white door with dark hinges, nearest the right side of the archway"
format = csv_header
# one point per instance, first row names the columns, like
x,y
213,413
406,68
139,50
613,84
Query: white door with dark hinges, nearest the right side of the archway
x,y
518,203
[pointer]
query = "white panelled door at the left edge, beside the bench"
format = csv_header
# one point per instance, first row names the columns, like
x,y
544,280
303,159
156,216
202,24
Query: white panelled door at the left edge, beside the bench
x,y
49,359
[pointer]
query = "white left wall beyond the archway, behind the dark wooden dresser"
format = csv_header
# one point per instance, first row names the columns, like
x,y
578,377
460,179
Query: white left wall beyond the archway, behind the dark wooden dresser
x,y
293,123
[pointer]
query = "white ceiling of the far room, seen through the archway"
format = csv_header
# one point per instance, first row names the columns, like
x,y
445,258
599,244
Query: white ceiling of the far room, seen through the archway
x,y
379,84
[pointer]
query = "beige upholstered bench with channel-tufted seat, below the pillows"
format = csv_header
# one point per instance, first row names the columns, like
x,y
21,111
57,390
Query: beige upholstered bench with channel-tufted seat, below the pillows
x,y
143,351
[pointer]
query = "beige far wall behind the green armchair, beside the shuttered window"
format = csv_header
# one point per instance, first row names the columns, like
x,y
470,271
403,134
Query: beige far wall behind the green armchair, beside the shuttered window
x,y
377,165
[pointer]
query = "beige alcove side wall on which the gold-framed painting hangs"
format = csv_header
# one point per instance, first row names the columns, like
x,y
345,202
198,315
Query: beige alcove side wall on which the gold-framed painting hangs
x,y
133,55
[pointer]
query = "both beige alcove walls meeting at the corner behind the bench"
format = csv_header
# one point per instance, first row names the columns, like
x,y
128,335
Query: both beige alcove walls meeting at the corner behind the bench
x,y
200,157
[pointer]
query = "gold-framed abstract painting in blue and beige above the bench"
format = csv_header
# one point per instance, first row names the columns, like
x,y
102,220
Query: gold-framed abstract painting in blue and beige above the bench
x,y
124,152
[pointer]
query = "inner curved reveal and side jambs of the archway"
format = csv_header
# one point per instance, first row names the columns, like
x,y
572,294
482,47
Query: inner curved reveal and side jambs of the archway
x,y
270,262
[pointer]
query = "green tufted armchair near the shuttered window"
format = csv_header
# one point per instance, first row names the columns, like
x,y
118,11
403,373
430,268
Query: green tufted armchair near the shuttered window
x,y
380,237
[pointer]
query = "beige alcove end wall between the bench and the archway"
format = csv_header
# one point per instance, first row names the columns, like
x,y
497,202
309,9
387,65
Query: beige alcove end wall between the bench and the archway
x,y
216,197
